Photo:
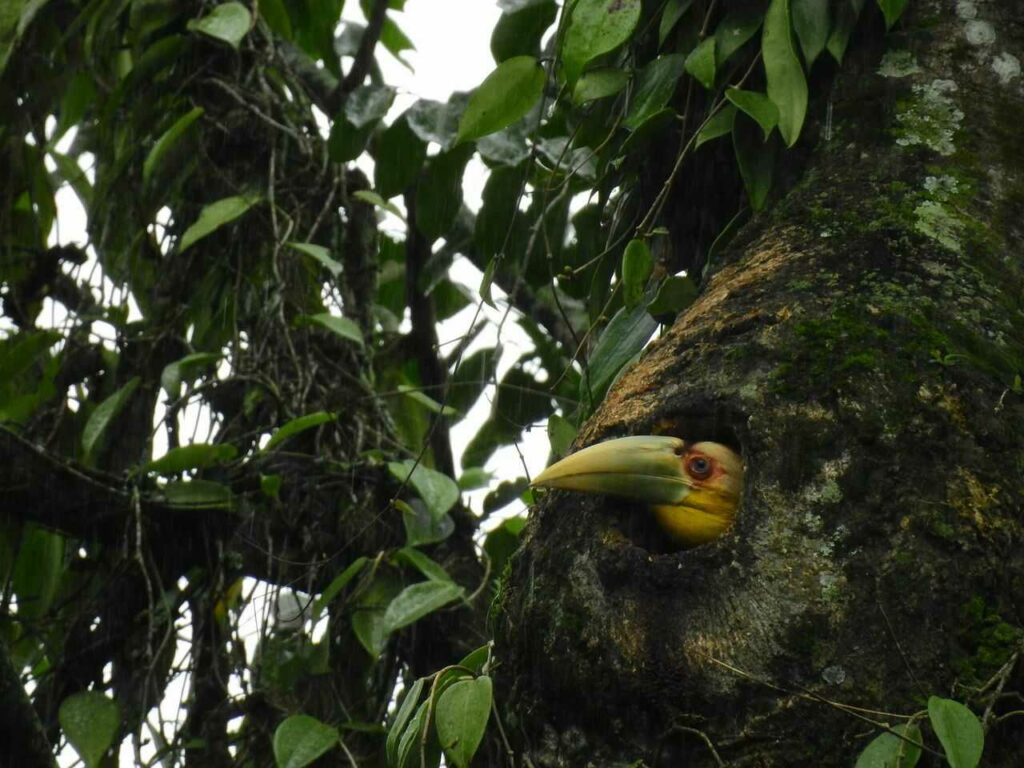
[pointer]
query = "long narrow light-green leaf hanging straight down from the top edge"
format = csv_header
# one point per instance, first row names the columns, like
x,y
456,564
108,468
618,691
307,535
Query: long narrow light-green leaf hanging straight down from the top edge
x,y
787,86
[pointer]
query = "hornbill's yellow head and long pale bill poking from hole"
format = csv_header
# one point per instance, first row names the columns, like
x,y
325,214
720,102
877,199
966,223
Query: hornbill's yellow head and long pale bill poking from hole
x,y
693,489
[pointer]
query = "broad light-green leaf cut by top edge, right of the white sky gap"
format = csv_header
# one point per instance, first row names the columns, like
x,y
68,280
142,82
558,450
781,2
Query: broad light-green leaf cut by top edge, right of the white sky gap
x,y
596,27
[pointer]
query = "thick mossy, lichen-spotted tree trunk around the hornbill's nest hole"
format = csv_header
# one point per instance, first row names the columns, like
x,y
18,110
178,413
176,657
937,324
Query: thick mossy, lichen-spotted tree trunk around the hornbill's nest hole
x,y
863,347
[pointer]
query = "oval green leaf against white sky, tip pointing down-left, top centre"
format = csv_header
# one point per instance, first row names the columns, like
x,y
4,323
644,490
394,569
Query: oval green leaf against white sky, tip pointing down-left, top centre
x,y
505,97
